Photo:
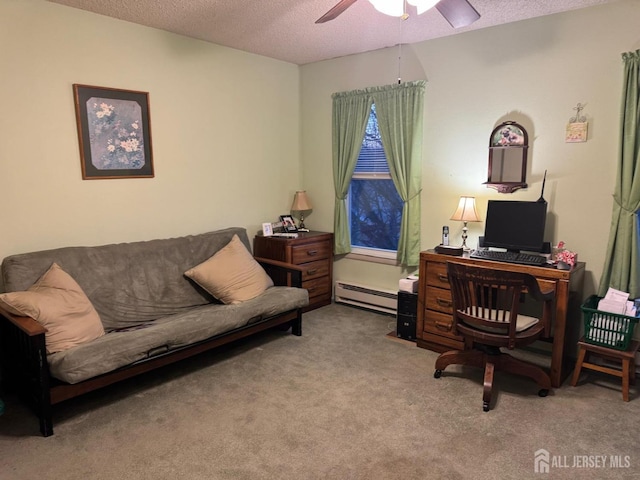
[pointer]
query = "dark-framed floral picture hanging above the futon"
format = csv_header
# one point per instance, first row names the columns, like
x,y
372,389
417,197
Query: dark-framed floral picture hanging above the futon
x,y
114,132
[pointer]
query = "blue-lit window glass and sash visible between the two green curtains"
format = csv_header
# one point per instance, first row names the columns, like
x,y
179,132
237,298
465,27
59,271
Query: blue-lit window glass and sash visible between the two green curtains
x,y
374,205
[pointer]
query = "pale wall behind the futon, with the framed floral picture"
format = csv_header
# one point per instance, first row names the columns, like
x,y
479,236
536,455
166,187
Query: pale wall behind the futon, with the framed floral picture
x,y
225,131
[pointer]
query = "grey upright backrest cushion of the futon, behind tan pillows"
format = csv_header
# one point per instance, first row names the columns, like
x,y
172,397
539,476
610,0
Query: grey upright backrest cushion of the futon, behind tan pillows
x,y
128,283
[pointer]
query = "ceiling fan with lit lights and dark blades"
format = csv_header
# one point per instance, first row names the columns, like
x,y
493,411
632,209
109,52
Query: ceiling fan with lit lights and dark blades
x,y
459,13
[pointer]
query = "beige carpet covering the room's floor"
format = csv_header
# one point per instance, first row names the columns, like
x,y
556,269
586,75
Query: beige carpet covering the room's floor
x,y
343,401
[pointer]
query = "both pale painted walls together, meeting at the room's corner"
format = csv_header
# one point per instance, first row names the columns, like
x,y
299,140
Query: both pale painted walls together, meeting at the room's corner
x,y
235,134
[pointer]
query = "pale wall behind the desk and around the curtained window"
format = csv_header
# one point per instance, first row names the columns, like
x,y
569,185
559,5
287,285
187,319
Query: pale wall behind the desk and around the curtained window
x,y
533,72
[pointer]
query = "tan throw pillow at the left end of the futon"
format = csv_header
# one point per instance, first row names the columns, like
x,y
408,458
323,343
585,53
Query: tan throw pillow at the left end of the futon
x,y
58,303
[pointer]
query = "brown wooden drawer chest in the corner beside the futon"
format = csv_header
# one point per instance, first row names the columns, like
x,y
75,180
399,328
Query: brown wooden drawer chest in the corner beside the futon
x,y
313,251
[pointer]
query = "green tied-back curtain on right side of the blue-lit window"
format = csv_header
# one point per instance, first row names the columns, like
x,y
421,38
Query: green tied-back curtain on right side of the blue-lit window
x,y
400,118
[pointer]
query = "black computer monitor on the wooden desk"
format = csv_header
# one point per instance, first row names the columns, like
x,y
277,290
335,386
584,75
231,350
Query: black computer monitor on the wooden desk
x,y
515,225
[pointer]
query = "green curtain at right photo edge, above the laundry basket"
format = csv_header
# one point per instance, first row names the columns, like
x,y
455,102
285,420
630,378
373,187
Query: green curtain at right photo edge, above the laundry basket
x,y
621,269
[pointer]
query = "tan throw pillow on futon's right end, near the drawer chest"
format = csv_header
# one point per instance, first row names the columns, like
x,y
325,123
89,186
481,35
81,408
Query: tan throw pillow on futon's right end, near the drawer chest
x,y
231,275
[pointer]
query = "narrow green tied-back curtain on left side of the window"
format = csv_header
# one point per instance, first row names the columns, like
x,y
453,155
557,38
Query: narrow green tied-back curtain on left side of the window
x,y
350,116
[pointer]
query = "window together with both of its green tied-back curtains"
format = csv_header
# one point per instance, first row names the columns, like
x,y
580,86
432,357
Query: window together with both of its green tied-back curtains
x,y
373,221
